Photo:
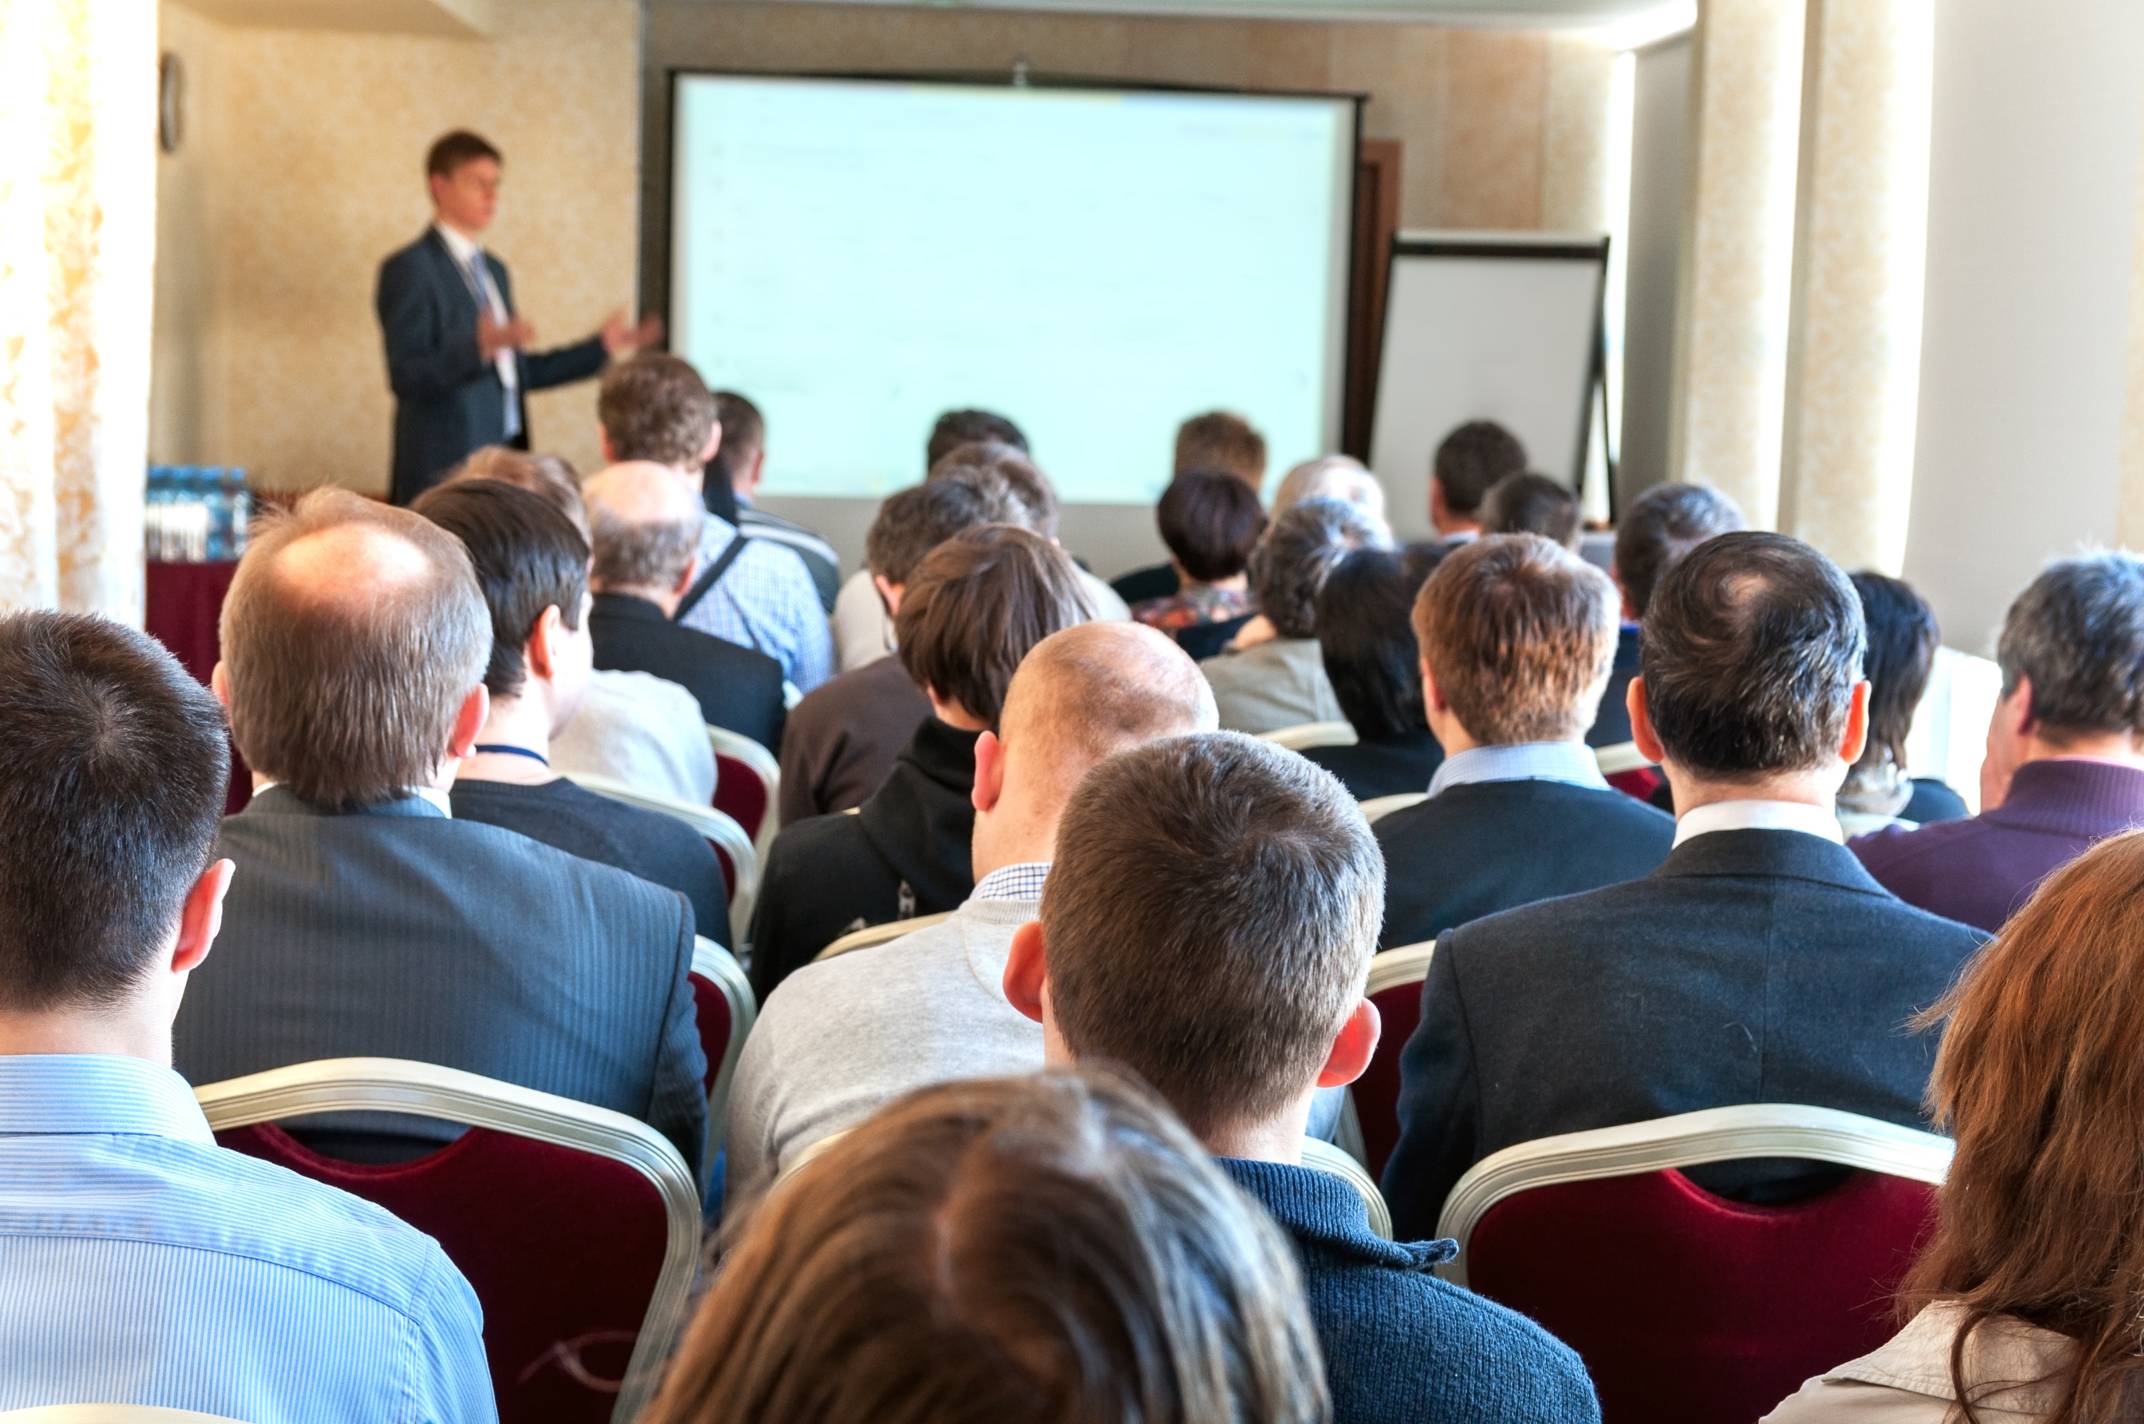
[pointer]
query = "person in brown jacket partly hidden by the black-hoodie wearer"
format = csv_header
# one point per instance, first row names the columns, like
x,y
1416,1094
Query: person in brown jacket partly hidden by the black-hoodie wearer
x,y
846,737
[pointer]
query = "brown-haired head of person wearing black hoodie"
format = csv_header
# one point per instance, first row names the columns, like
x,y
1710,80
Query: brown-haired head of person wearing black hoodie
x,y
977,606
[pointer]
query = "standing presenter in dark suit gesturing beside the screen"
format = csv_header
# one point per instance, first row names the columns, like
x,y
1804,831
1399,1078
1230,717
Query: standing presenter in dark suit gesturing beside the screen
x,y
458,357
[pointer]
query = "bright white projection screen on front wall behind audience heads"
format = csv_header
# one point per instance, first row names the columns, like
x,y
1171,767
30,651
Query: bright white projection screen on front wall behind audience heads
x,y
1097,265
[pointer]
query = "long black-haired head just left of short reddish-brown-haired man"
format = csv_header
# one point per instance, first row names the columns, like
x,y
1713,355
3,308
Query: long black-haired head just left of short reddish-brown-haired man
x,y
1367,636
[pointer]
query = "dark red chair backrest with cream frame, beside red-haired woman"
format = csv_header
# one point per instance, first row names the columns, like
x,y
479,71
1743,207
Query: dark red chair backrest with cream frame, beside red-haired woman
x,y
1686,1305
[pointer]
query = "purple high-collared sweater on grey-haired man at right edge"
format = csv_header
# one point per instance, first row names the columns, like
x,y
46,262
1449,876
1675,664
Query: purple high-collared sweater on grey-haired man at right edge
x,y
1982,870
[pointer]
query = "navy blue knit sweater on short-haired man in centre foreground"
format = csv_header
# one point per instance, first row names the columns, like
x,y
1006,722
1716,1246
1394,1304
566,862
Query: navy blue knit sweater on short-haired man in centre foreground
x,y
1403,1346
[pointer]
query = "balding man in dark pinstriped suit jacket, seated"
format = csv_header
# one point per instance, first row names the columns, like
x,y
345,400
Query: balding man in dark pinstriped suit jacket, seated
x,y
366,921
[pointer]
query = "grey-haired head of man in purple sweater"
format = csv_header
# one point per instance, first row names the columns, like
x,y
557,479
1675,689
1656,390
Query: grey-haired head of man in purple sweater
x,y
2079,634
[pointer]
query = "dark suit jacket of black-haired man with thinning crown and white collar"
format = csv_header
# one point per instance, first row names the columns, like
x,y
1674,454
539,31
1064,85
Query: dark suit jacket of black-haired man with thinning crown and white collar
x,y
1753,966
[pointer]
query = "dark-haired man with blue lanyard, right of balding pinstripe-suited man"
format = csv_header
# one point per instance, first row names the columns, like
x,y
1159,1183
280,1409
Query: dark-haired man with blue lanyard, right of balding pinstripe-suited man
x,y
533,567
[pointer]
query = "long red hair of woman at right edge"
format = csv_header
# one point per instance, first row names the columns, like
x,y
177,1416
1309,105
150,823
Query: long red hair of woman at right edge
x,y
2040,1078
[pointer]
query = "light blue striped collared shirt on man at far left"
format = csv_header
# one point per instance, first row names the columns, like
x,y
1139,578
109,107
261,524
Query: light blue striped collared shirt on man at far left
x,y
143,1264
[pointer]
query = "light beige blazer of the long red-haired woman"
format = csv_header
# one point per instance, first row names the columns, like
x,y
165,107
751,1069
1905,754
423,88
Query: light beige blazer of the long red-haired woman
x,y
1909,1380
